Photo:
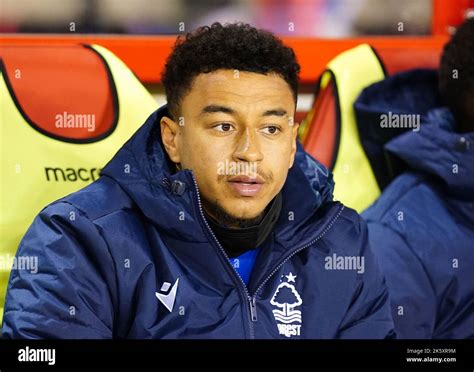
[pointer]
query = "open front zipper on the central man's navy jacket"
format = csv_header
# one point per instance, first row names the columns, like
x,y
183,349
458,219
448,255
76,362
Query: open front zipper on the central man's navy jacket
x,y
252,300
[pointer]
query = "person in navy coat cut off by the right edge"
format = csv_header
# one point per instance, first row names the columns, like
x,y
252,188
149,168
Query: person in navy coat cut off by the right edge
x,y
422,227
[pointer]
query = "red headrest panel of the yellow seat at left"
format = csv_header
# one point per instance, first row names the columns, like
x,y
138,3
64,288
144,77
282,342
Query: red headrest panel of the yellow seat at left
x,y
40,86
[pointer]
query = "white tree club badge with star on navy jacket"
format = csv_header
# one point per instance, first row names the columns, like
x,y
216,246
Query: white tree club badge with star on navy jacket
x,y
286,299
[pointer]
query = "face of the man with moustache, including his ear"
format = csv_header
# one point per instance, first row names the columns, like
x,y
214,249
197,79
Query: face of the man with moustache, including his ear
x,y
236,133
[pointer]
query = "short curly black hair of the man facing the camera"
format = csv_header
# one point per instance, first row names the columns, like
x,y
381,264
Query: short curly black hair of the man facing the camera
x,y
236,46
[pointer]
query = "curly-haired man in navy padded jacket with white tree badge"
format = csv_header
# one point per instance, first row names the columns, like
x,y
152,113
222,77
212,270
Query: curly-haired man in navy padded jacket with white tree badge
x,y
210,222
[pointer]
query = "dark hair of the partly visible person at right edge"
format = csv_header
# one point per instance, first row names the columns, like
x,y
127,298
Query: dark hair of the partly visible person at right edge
x,y
456,75
